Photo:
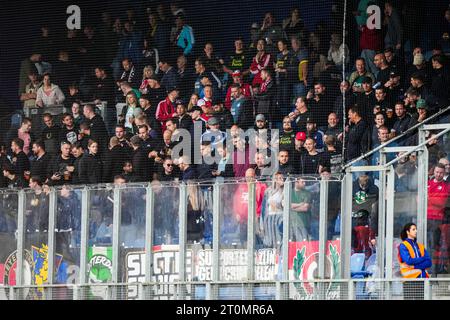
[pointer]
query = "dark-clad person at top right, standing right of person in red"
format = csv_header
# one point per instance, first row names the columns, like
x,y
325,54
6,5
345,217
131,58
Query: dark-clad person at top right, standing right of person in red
x,y
394,29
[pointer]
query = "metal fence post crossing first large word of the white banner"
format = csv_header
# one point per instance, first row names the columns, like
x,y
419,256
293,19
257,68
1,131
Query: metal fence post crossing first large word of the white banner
x,y
149,208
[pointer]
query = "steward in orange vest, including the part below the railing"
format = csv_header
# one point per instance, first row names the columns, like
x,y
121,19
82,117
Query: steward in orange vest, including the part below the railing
x,y
414,261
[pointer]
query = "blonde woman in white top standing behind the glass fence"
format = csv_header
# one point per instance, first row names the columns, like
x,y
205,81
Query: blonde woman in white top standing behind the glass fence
x,y
273,220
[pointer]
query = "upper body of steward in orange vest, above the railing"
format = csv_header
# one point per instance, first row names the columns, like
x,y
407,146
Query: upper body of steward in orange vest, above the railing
x,y
413,258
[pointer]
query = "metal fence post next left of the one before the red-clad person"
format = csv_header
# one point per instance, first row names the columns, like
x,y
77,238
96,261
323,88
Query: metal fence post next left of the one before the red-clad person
x,y
216,232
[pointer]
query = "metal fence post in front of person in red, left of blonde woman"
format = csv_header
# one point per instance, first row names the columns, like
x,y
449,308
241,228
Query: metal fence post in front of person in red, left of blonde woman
x,y
251,227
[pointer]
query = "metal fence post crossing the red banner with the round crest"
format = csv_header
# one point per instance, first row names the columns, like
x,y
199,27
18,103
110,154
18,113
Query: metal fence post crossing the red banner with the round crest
x,y
323,226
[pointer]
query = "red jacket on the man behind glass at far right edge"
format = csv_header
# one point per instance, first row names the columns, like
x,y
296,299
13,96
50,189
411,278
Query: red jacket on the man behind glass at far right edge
x,y
438,193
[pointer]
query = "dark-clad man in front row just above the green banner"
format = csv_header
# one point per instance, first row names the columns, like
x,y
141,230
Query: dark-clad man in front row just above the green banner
x,y
90,165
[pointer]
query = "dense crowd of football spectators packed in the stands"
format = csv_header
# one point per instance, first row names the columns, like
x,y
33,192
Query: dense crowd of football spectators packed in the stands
x,y
168,77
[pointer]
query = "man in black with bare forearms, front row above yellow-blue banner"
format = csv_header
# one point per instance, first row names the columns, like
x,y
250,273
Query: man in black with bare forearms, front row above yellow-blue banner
x,y
61,167
